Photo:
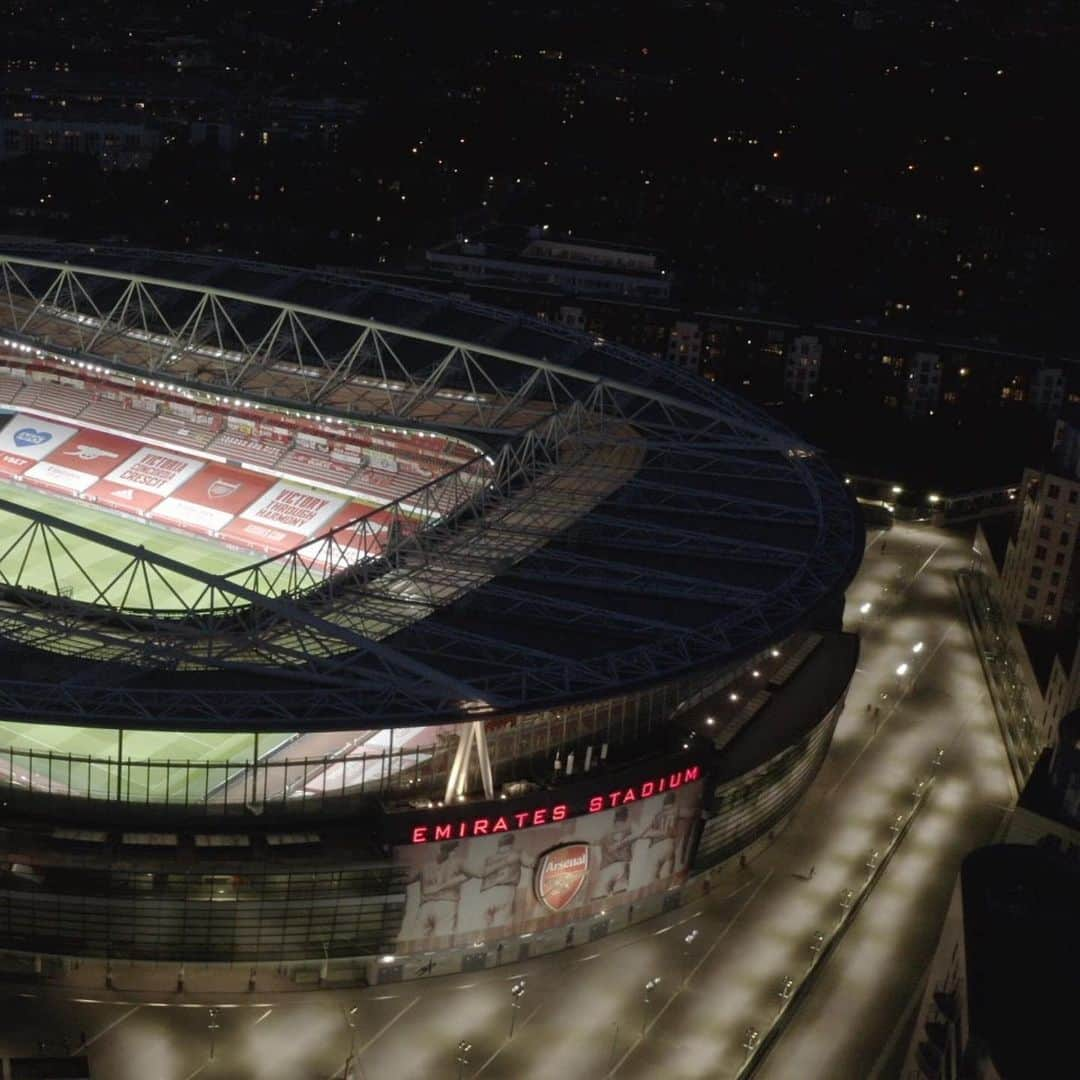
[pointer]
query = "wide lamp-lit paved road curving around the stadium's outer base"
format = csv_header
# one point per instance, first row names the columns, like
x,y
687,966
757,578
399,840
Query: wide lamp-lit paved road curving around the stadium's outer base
x,y
585,1014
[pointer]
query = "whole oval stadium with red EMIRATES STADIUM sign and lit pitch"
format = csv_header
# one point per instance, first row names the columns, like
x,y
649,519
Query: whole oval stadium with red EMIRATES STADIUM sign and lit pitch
x,y
357,629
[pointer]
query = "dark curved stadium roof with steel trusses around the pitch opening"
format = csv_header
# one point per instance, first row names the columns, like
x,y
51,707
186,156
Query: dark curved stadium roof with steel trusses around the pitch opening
x,y
632,522
